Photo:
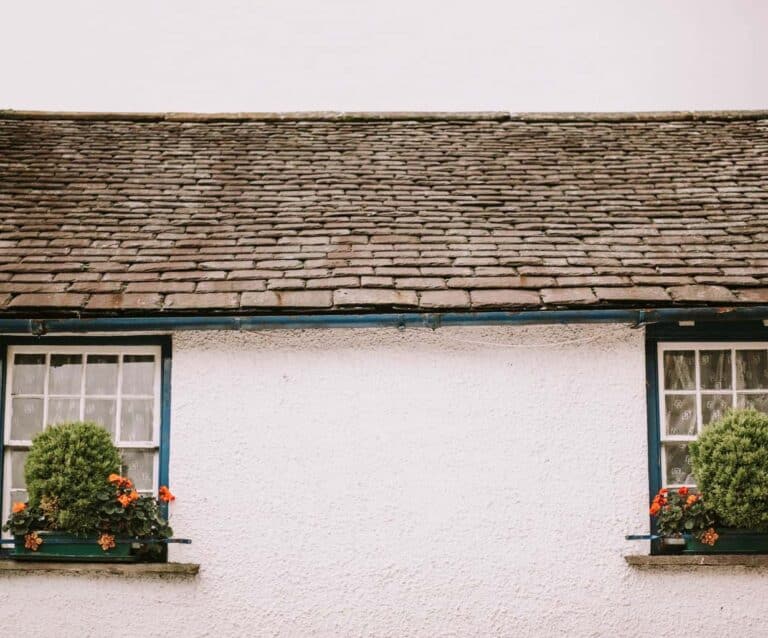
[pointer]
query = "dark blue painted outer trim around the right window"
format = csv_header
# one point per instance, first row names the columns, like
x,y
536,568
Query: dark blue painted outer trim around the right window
x,y
660,333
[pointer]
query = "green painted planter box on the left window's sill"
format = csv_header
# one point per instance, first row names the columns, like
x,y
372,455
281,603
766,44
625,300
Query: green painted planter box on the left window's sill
x,y
67,547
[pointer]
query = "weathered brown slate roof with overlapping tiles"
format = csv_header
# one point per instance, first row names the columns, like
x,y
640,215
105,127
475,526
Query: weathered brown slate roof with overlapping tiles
x,y
138,214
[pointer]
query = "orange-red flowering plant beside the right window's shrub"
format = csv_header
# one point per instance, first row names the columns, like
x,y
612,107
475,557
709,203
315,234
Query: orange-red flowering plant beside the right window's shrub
x,y
681,512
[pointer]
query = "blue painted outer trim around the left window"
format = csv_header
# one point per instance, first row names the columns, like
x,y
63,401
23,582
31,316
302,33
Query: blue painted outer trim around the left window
x,y
165,385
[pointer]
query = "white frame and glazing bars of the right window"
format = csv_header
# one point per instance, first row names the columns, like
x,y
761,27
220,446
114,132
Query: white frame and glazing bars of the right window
x,y
697,347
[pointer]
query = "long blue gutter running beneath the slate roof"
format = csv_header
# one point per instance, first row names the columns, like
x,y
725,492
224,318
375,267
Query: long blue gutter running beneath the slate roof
x,y
395,320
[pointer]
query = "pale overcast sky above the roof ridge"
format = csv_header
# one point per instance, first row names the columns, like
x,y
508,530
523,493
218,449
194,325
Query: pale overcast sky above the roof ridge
x,y
287,55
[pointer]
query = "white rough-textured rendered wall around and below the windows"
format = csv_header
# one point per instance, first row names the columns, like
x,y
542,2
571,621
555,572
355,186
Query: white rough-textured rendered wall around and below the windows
x,y
376,482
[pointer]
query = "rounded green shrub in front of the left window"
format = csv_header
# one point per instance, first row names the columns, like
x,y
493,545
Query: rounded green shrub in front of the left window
x,y
67,466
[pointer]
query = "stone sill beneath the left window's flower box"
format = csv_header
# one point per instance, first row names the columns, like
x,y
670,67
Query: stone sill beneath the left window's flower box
x,y
127,570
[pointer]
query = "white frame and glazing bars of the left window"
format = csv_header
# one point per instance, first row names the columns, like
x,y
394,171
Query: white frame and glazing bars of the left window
x,y
11,445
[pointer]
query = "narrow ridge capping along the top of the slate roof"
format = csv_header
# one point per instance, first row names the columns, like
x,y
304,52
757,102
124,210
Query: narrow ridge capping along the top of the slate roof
x,y
373,116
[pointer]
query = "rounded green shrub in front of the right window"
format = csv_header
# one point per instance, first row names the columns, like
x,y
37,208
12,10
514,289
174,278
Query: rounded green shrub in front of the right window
x,y
730,464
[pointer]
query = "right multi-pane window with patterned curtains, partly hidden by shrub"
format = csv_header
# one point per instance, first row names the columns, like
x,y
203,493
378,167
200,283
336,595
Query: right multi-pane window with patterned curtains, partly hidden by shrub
x,y
697,383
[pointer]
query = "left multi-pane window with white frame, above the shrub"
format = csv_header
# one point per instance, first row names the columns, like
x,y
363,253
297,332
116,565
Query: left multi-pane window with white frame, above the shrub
x,y
119,387
